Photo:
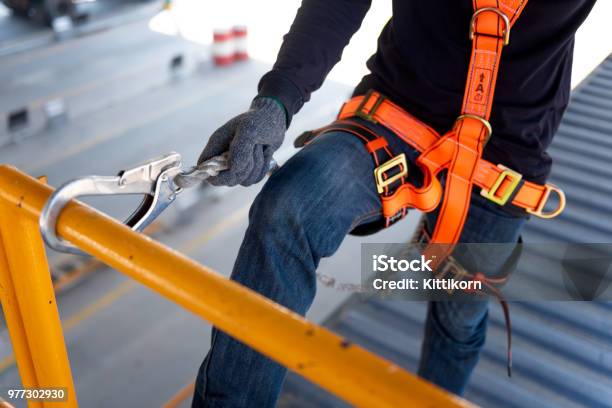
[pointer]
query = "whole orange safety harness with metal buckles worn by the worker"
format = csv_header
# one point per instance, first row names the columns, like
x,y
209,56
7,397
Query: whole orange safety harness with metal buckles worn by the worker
x,y
459,151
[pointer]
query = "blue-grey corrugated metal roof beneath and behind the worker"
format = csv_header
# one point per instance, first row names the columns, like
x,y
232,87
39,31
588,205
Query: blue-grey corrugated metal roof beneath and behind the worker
x,y
562,351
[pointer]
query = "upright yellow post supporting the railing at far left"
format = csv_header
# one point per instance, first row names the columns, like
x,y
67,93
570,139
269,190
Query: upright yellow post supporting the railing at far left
x,y
27,267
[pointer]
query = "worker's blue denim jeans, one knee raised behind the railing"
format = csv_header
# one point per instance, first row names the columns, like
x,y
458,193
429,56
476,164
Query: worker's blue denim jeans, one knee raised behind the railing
x,y
302,214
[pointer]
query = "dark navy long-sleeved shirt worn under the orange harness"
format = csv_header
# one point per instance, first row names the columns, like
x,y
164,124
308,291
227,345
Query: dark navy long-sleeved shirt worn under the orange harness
x,y
422,60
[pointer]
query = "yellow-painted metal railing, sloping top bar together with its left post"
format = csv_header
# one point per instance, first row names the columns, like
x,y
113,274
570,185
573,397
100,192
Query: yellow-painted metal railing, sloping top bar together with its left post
x,y
345,369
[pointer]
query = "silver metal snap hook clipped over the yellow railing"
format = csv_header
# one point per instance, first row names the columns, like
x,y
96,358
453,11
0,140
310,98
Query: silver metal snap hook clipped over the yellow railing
x,y
153,178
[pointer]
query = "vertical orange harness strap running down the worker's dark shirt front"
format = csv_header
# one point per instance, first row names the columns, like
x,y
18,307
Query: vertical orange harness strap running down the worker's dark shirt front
x,y
490,31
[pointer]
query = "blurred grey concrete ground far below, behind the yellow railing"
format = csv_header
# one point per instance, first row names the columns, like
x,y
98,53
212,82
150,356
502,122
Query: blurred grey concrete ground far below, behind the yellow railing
x,y
128,346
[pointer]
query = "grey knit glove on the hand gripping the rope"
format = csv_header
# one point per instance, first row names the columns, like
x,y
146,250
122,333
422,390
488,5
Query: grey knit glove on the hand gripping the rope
x,y
251,138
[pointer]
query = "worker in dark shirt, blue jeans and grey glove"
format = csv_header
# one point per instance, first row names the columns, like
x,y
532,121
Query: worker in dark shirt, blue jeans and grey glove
x,y
327,189
